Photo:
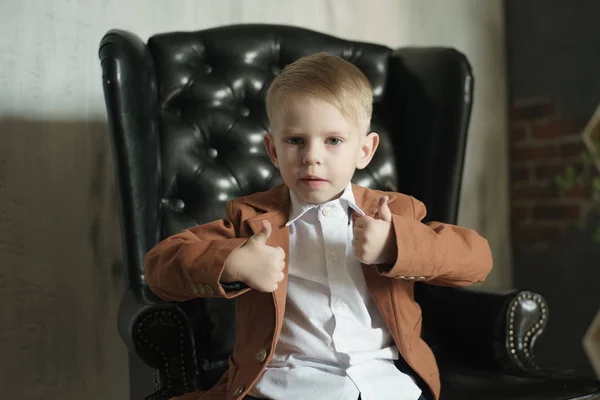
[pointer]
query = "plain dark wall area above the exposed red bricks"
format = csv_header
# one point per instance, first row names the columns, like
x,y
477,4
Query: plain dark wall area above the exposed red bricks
x,y
554,51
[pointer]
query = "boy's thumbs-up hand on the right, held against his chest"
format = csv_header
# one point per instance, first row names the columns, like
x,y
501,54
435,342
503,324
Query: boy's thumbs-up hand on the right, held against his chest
x,y
374,241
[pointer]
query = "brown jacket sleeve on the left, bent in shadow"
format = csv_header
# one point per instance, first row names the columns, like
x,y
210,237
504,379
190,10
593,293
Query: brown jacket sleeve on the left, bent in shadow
x,y
189,264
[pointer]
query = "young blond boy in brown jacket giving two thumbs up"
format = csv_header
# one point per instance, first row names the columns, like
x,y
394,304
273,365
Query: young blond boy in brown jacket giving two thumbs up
x,y
323,270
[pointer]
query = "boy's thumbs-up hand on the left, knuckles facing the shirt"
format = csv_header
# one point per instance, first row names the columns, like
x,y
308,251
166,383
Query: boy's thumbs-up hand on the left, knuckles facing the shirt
x,y
255,263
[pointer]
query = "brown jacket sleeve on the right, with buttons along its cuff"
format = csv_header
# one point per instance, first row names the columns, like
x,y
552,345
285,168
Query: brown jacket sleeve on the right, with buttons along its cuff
x,y
437,253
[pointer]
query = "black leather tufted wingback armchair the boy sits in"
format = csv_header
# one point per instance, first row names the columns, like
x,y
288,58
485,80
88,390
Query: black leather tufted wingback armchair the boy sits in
x,y
186,114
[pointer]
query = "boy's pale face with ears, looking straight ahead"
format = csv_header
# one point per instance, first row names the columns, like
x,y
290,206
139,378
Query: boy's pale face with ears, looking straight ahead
x,y
316,148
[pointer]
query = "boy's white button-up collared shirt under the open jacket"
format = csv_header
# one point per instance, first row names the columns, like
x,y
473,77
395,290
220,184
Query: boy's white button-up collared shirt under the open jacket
x,y
334,343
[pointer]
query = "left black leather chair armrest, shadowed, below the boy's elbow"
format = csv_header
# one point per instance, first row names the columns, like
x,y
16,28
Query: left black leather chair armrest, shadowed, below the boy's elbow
x,y
177,339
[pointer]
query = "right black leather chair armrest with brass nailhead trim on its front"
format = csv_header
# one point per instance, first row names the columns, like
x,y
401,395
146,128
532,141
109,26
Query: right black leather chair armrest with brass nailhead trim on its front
x,y
490,330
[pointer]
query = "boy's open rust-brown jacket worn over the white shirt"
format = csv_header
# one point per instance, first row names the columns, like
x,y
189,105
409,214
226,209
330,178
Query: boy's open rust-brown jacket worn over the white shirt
x,y
189,265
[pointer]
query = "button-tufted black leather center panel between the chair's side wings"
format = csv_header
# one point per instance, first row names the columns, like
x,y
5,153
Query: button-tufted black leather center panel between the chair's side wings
x,y
211,93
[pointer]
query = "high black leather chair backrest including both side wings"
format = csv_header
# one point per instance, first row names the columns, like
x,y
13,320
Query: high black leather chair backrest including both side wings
x,y
187,119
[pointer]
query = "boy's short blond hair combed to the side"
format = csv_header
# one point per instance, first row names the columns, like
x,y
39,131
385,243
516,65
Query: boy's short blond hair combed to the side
x,y
329,78
